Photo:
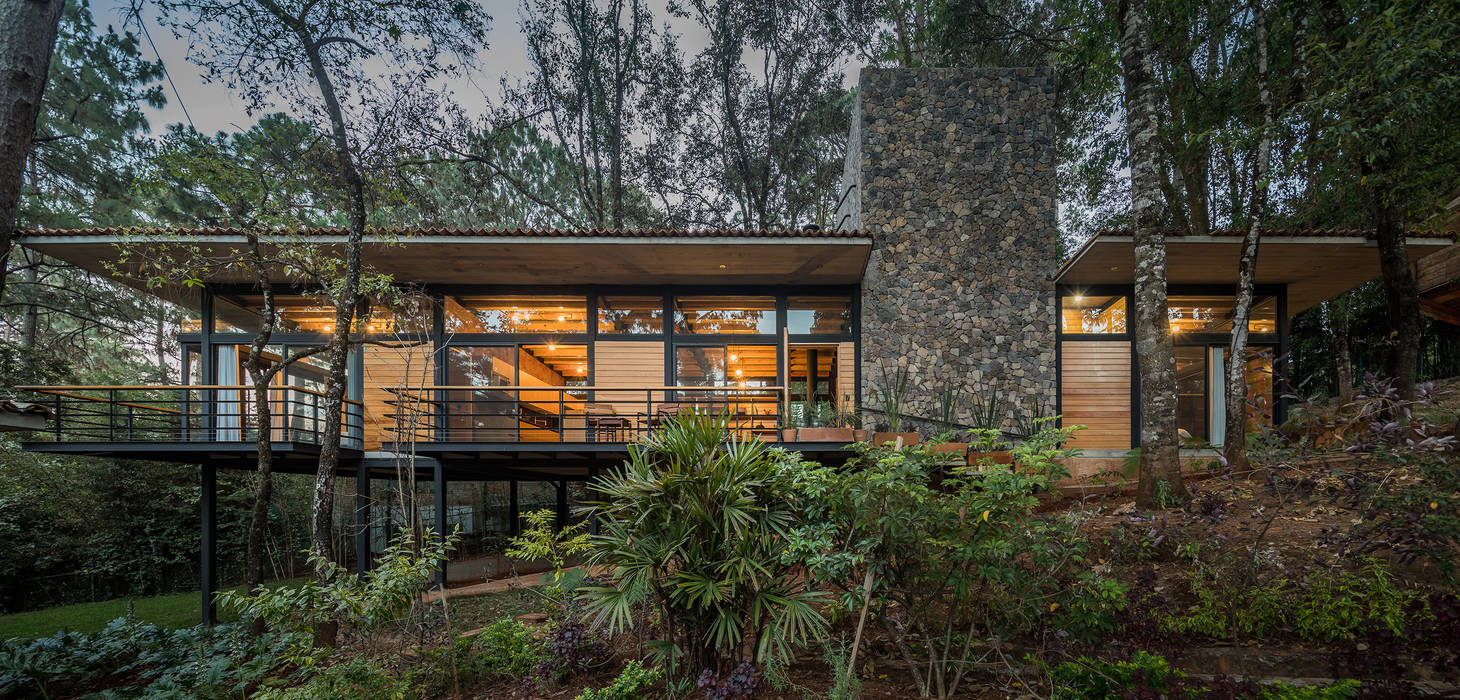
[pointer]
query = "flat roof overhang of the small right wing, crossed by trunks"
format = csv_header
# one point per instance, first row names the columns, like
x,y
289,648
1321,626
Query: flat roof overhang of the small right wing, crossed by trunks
x,y
1316,268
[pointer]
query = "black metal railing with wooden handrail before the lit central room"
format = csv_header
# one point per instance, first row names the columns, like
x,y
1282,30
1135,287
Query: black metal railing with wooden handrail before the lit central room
x,y
572,414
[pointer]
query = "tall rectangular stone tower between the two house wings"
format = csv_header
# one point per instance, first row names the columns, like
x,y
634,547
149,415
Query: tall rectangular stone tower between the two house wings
x,y
956,178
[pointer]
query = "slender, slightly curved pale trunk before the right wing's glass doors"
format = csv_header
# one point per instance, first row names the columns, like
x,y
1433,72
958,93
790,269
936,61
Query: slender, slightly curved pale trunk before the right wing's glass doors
x,y
1234,446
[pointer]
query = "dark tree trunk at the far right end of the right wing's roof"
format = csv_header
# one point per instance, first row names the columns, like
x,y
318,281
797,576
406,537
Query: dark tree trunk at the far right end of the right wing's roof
x,y
1401,294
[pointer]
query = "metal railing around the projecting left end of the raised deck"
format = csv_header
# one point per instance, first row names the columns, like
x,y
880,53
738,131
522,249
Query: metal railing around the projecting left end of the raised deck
x,y
189,414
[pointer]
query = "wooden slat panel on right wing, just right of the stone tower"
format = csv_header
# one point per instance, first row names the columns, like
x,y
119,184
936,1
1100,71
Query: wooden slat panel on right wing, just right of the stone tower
x,y
1096,392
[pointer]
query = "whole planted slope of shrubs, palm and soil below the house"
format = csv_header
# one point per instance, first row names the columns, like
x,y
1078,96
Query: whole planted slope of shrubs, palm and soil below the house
x,y
726,569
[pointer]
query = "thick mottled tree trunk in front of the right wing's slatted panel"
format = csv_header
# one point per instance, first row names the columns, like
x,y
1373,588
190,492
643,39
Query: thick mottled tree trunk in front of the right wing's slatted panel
x,y
1160,482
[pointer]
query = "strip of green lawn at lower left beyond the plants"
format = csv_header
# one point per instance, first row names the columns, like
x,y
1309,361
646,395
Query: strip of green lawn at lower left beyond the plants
x,y
172,612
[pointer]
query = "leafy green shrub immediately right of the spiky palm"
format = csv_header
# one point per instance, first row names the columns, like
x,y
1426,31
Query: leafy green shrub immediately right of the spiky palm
x,y
945,563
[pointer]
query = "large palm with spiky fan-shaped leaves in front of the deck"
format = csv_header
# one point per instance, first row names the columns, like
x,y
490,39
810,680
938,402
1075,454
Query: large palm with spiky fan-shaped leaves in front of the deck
x,y
694,527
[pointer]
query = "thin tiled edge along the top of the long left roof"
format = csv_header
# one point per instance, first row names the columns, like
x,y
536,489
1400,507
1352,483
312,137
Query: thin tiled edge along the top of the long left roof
x,y
472,233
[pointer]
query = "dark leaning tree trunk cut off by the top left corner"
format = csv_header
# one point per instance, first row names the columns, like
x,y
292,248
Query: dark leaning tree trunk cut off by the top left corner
x,y
27,40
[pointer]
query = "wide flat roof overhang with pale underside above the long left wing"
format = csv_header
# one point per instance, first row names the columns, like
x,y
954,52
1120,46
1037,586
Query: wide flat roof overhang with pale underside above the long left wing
x,y
452,259
